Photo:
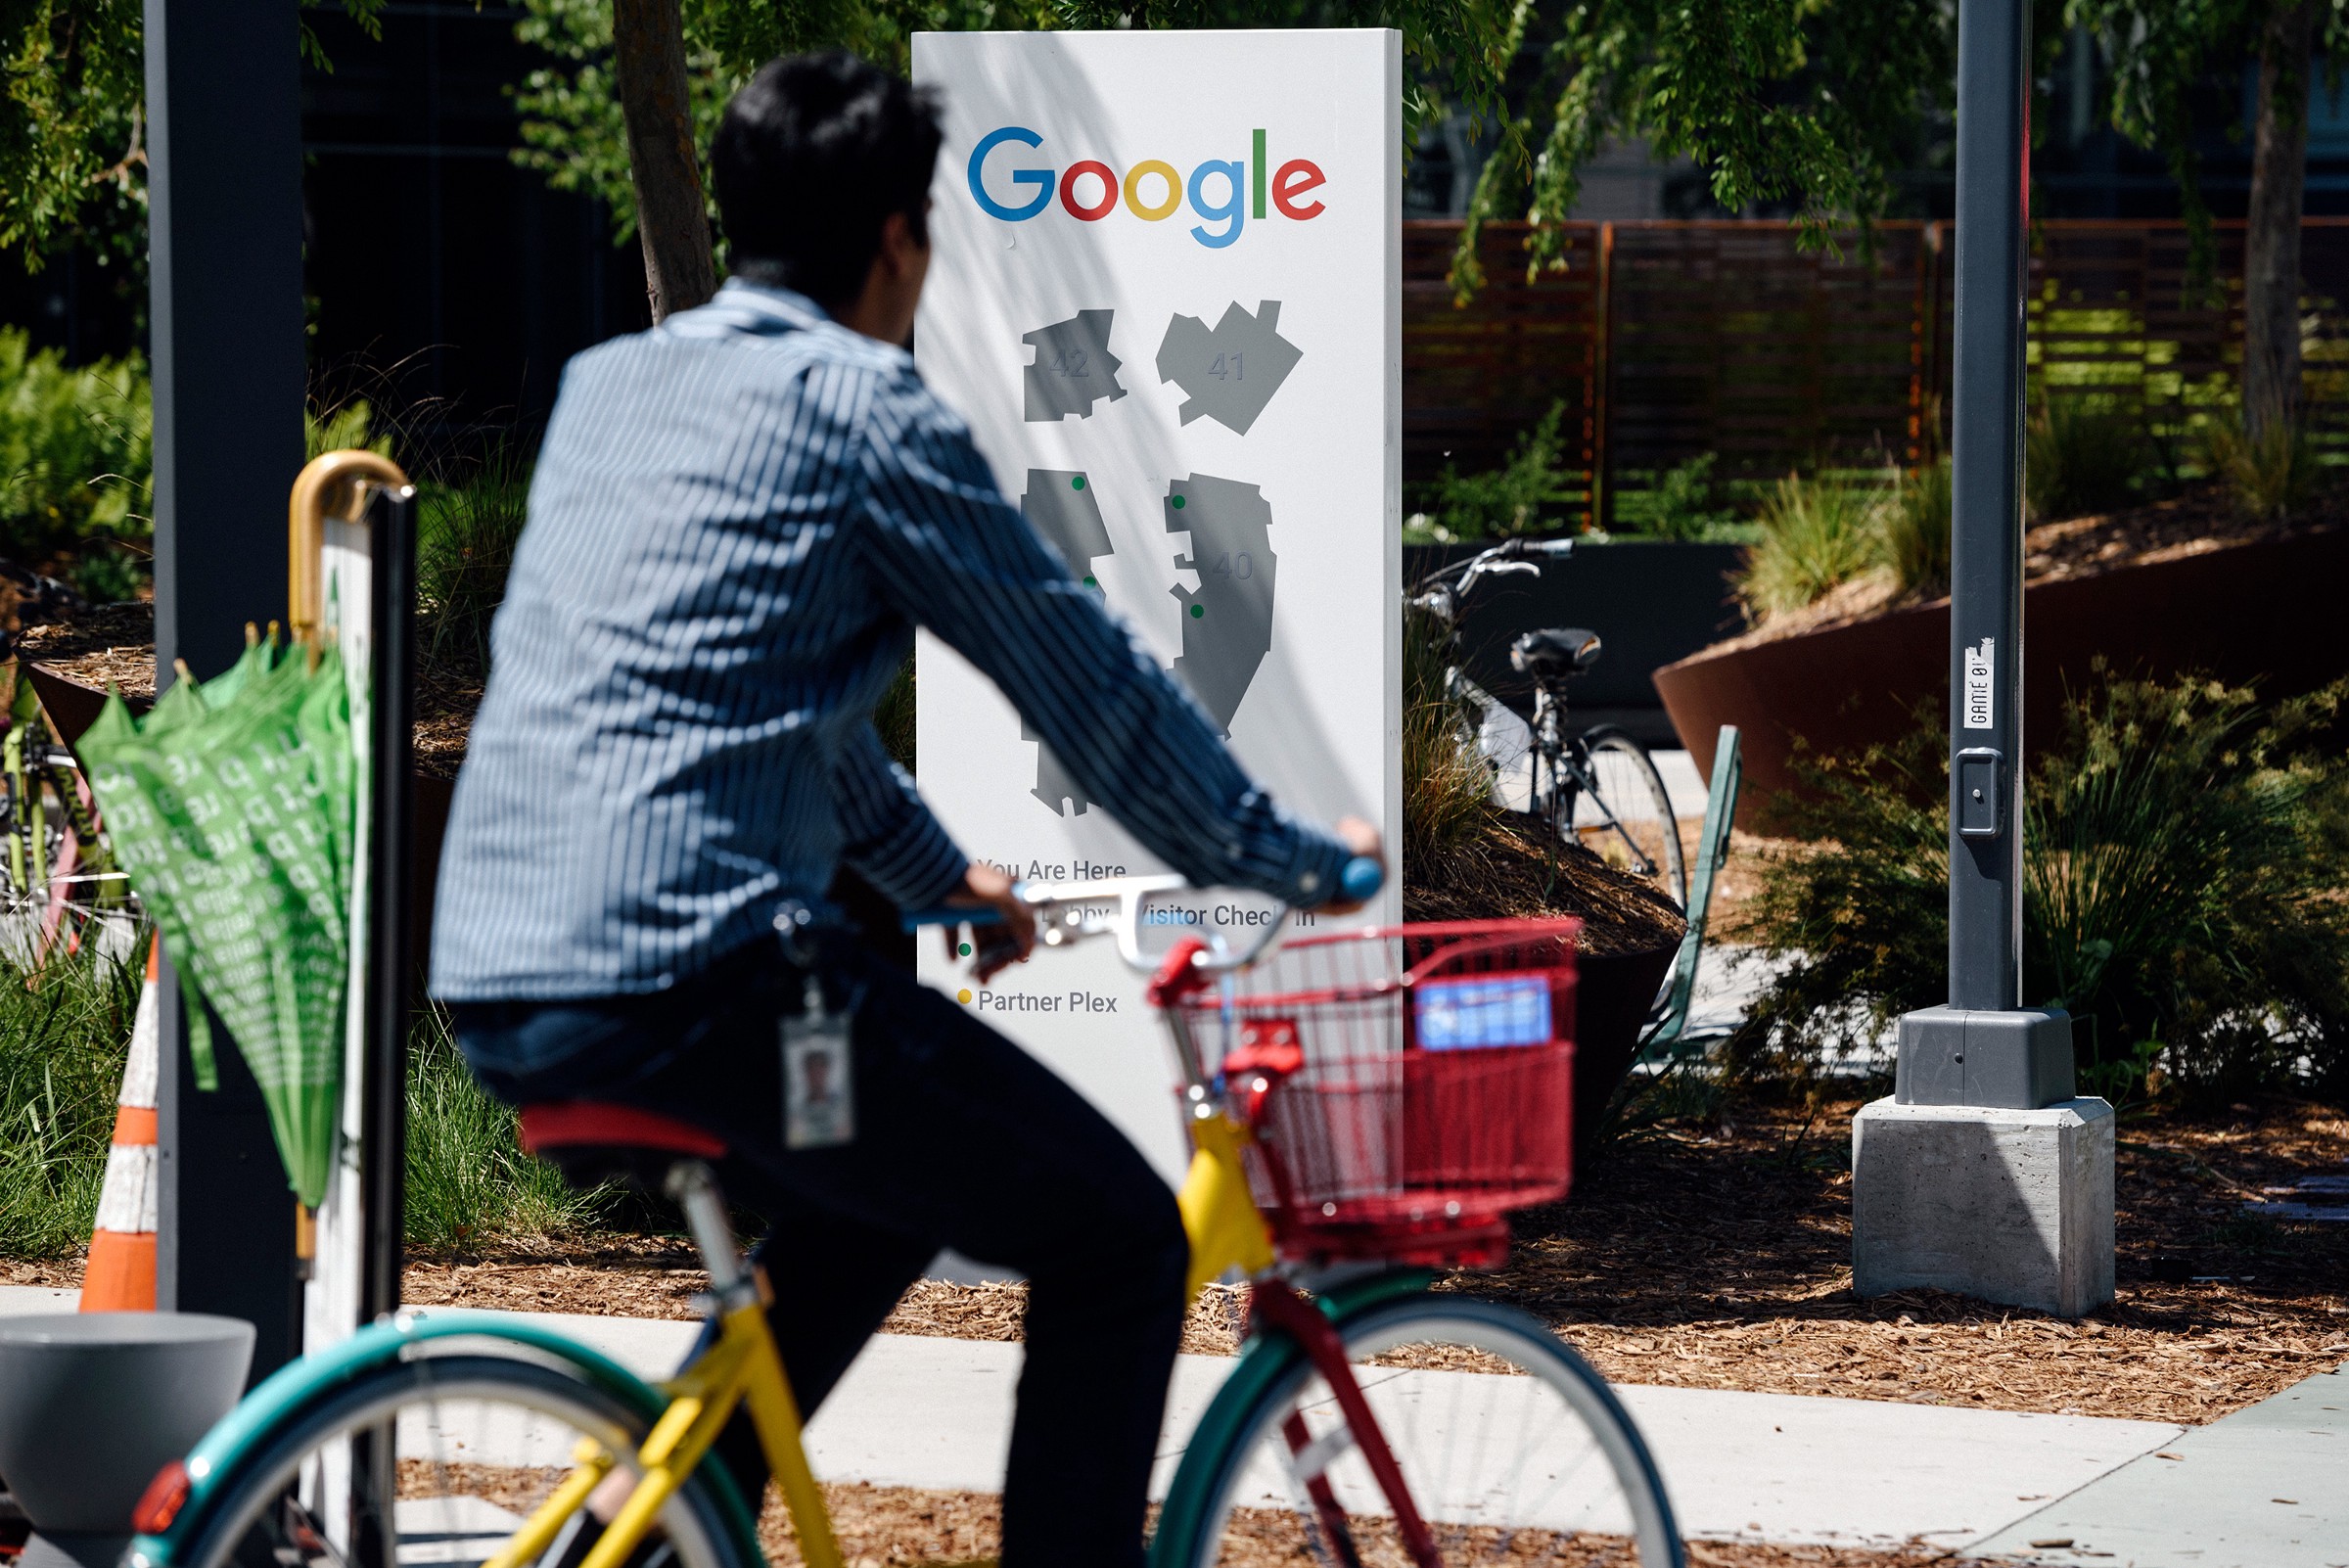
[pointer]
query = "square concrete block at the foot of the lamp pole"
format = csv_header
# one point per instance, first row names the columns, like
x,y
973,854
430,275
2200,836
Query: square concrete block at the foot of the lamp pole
x,y
2005,1205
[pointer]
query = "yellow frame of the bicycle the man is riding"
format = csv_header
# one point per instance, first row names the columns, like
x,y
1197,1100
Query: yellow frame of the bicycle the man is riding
x,y
743,1365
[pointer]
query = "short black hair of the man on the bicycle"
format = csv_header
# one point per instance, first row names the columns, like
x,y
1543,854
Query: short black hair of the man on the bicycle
x,y
812,161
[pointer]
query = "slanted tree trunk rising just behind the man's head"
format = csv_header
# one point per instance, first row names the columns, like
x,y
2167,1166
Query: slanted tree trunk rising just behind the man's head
x,y
649,65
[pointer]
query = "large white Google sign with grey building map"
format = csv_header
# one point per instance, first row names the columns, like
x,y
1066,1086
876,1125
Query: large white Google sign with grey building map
x,y
1166,295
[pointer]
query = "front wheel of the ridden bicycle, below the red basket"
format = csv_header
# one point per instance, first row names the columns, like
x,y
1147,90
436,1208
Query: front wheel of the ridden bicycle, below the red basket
x,y
1530,1468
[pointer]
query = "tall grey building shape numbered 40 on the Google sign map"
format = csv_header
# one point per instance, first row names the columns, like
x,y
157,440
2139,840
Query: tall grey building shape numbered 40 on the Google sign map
x,y
1227,623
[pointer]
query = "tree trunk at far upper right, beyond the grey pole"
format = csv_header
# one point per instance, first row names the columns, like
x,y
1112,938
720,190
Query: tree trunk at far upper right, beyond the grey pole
x,y
2273,231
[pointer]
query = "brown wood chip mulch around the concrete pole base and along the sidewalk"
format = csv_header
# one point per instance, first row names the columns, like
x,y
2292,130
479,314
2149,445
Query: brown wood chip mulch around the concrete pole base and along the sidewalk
x,y
1718,1255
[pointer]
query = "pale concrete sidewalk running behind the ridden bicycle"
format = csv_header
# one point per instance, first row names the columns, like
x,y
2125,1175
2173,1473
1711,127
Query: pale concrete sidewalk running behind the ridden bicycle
x,y
936,1414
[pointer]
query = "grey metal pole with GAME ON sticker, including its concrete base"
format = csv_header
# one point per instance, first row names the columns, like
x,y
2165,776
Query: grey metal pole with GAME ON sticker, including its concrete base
x,y
1984,1175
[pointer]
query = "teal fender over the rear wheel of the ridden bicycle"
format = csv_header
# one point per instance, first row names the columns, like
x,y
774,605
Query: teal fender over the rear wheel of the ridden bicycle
x,y
297,1386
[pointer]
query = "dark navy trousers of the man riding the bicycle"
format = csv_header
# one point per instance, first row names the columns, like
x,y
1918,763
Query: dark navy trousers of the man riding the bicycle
x,y
962,1142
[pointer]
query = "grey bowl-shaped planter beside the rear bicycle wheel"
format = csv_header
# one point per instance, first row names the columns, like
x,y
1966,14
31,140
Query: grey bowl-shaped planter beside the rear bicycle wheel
x,y
93,1405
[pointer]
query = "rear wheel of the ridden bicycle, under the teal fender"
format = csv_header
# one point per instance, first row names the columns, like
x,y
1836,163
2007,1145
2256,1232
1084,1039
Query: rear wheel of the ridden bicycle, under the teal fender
x,y
478,1442
